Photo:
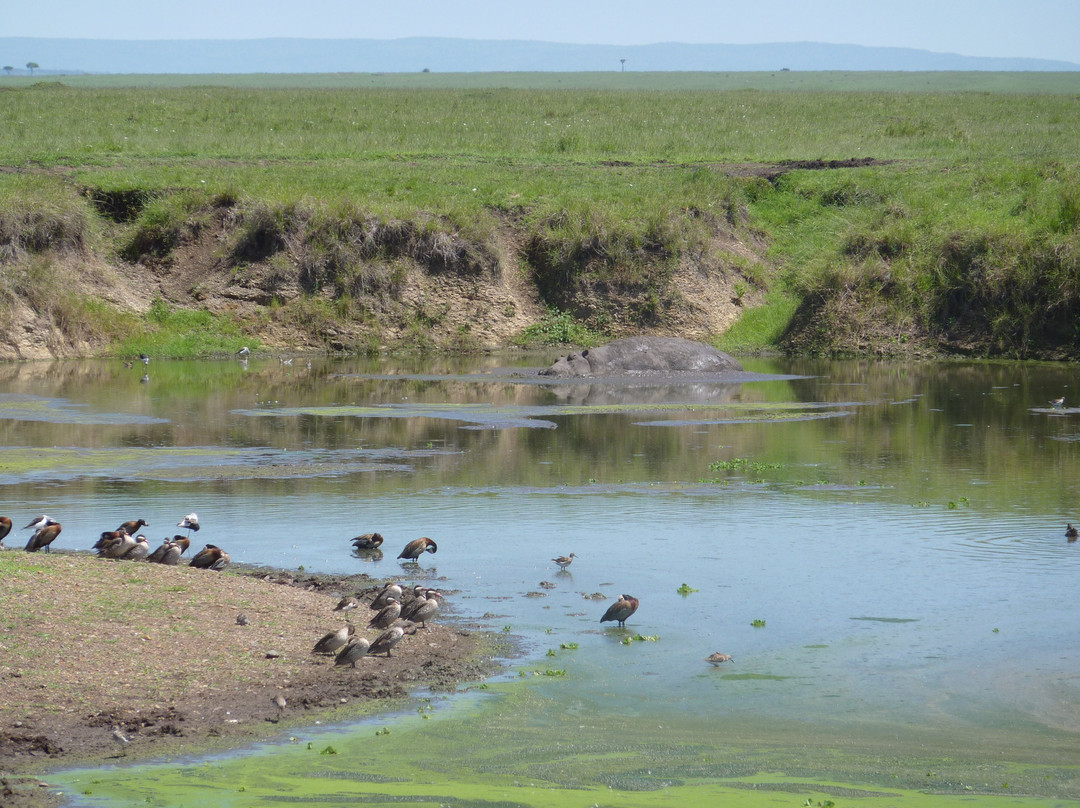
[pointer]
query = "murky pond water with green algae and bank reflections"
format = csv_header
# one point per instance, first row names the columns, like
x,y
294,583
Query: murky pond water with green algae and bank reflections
x,y
881,547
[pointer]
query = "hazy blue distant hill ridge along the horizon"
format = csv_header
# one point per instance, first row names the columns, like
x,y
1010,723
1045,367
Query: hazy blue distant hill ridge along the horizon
x,y
467,56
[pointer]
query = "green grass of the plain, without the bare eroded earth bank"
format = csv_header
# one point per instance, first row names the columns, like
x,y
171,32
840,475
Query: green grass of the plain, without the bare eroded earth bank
x,y
967,225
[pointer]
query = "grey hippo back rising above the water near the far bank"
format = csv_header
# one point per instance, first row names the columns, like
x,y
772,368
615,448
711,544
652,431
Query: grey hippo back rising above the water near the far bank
x,y
644,356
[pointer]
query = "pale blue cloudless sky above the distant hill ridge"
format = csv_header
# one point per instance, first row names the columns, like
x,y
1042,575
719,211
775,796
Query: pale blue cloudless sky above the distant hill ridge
x,y
1035,29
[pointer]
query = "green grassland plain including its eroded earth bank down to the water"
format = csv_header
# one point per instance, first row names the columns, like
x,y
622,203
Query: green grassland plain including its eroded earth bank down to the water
x,y
814,213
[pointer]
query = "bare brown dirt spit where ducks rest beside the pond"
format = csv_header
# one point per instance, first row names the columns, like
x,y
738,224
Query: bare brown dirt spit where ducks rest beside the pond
x,y
90,645
